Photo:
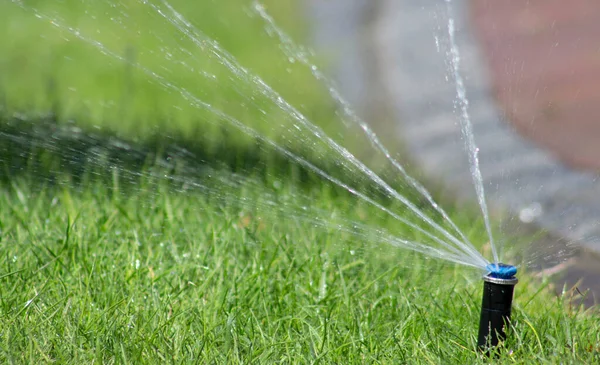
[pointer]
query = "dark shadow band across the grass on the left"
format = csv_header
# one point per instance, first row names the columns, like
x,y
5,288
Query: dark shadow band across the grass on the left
x,y
51,153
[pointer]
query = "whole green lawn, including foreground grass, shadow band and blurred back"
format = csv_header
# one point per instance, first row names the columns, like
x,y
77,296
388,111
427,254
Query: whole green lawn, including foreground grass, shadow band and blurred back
x,y
129,233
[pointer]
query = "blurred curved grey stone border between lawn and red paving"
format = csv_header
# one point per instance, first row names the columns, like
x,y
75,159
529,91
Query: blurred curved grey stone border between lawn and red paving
x,y
406,41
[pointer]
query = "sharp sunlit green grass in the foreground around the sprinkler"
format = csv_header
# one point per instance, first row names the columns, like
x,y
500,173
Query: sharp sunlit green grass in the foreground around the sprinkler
x,y
161,277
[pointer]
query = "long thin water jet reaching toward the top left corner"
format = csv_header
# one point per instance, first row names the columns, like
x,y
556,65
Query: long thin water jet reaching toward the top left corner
x,y
481,262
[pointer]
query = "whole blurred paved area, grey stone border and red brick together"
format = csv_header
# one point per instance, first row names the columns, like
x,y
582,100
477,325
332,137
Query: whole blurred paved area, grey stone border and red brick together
x,y
532,76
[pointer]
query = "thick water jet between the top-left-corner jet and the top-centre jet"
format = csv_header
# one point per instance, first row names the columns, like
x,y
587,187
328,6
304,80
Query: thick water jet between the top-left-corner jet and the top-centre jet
x,y
243,74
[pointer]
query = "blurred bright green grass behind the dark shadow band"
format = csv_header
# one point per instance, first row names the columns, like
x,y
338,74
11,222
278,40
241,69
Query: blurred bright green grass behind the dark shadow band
x,y
46,66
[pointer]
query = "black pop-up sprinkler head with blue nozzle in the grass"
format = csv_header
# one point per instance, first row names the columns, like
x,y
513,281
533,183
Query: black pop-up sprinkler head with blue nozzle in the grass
x,y
498,287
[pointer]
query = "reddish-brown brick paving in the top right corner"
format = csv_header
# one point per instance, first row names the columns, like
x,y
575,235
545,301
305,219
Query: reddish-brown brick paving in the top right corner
x,y
544,61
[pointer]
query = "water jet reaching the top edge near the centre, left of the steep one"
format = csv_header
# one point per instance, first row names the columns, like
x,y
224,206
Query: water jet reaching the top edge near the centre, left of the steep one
x,y
291,49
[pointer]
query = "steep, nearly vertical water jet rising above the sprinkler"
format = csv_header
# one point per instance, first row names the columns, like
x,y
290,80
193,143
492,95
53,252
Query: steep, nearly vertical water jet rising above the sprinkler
x,y
467,127
